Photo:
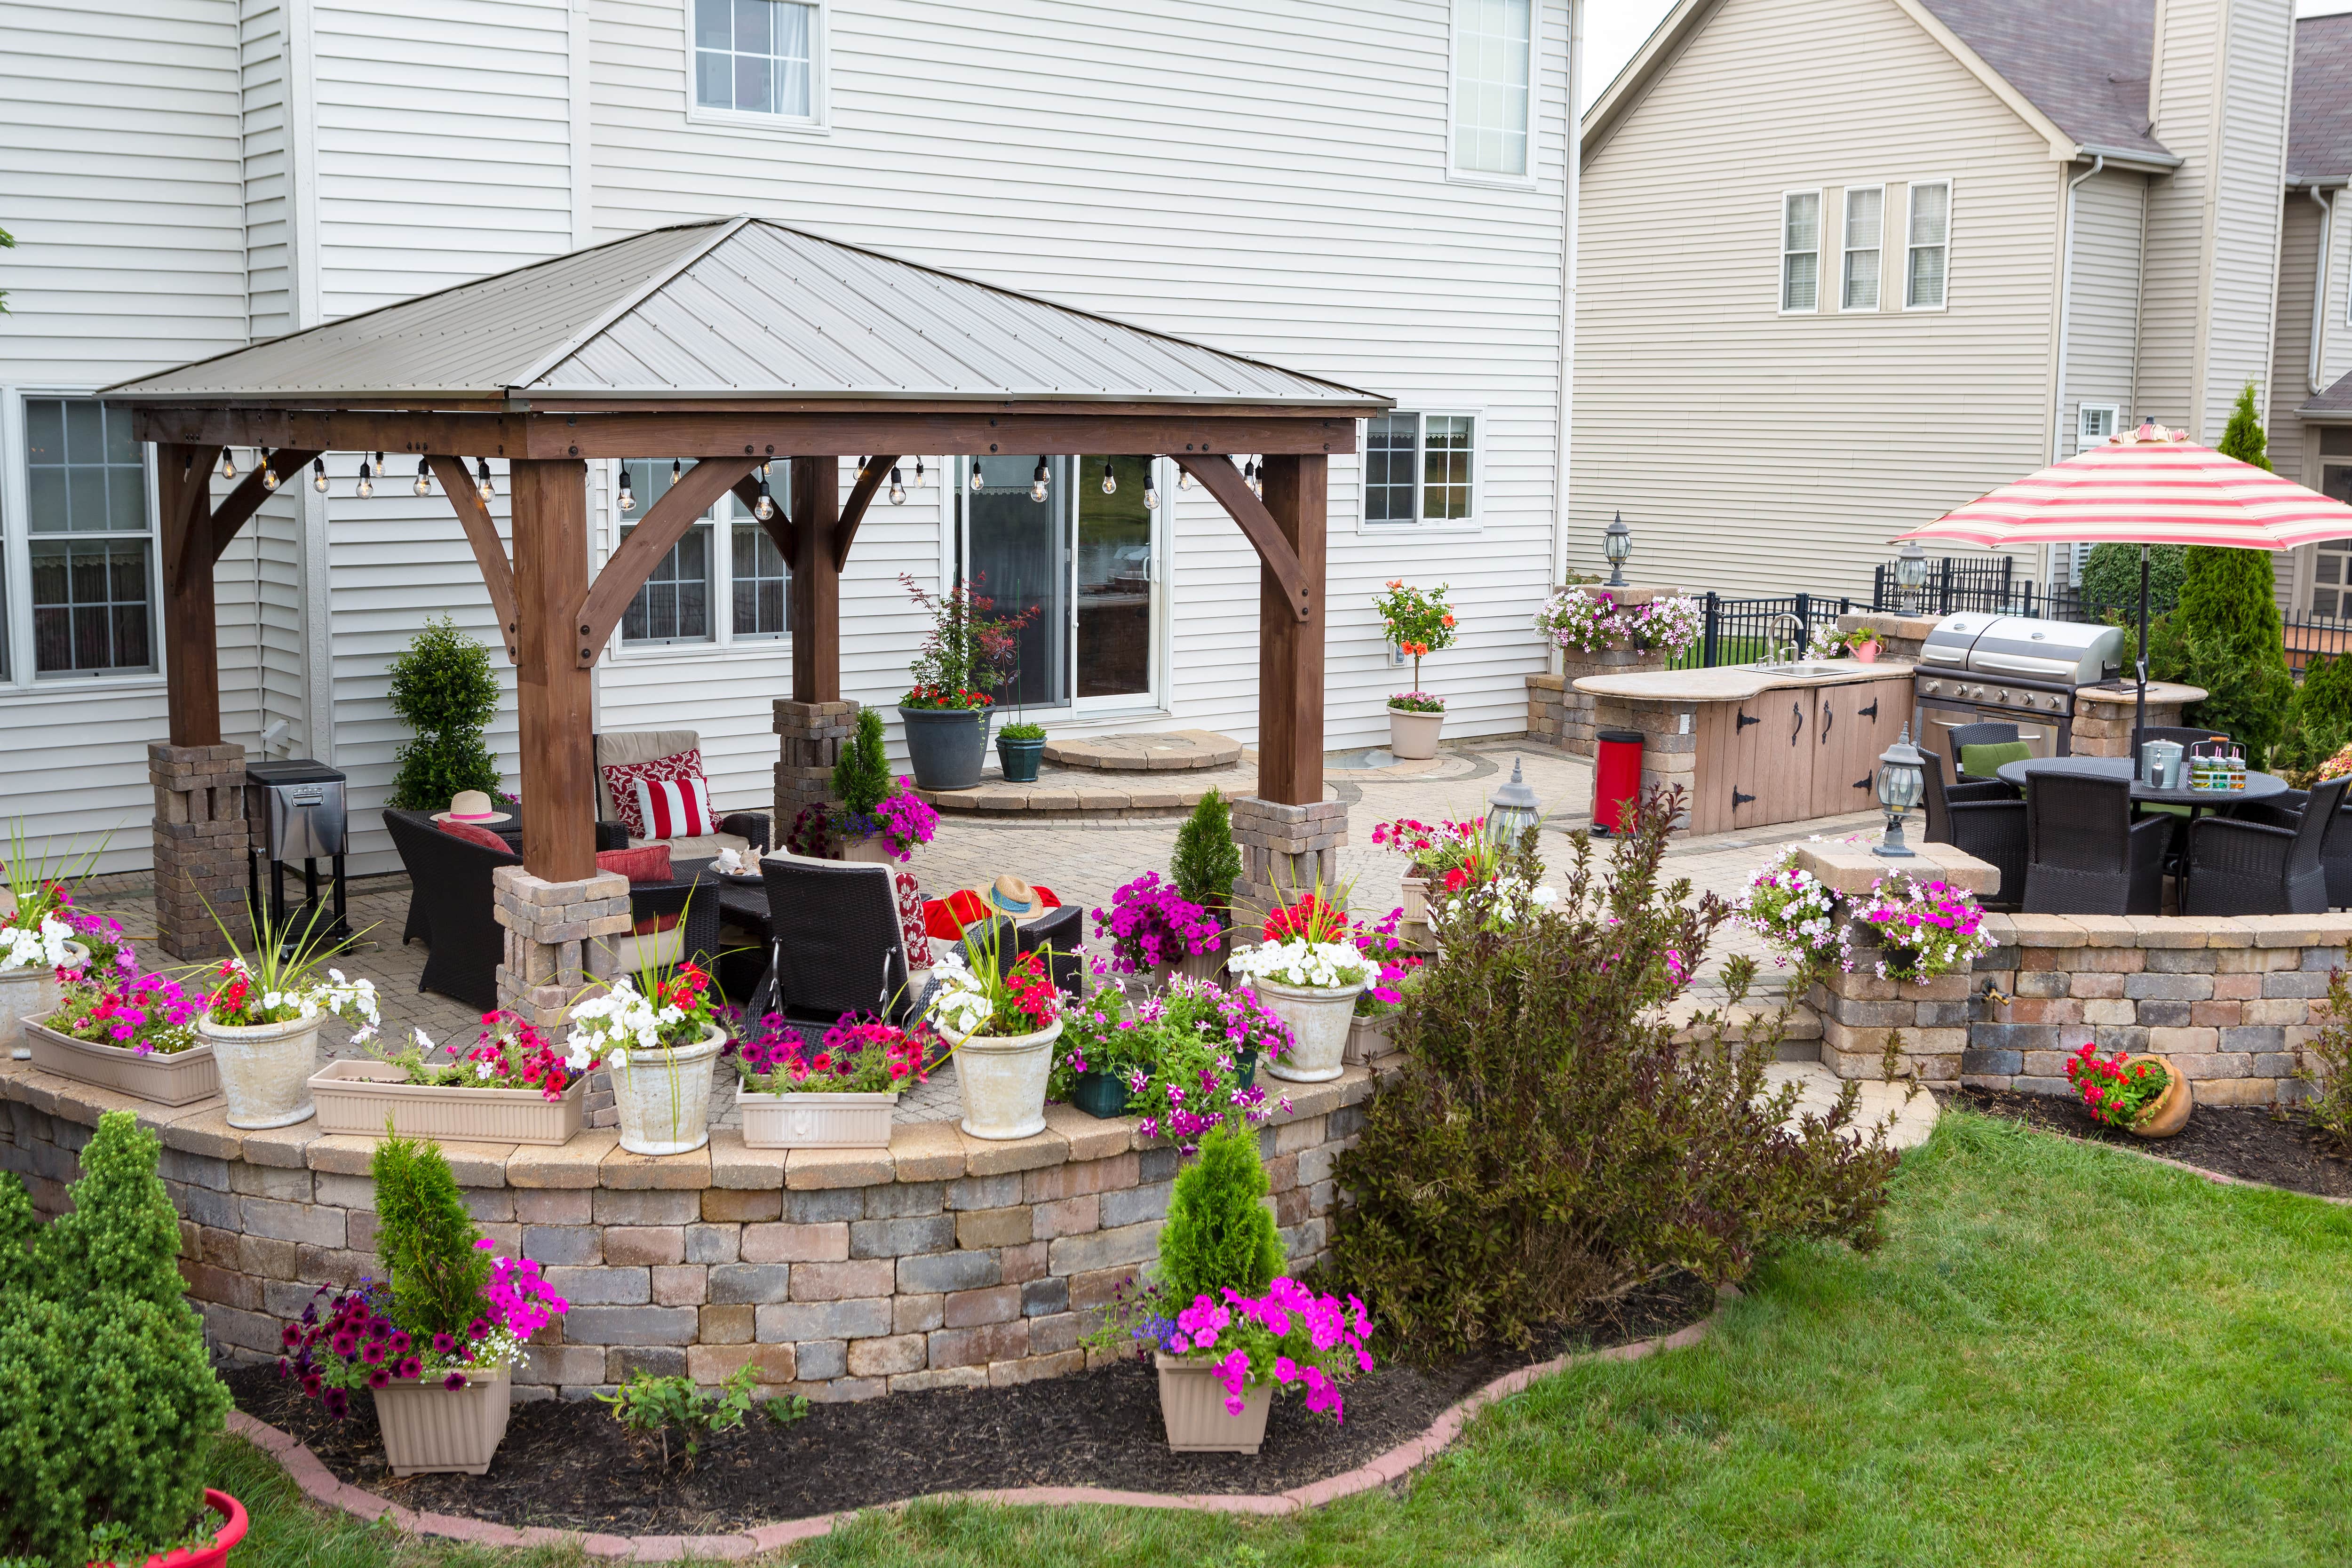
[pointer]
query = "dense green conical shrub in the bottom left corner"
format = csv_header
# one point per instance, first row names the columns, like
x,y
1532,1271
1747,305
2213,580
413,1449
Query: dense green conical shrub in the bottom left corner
x,y
107,1400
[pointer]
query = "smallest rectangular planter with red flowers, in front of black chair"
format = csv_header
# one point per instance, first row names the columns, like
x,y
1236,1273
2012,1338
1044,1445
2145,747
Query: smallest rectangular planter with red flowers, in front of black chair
x,y
829,1097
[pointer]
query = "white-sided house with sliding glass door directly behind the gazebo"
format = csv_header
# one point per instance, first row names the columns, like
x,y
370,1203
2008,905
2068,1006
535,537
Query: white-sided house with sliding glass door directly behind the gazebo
x,y
1370,196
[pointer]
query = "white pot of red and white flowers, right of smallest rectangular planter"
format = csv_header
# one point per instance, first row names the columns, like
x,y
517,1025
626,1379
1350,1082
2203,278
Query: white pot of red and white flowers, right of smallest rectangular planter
x,y
1001,1021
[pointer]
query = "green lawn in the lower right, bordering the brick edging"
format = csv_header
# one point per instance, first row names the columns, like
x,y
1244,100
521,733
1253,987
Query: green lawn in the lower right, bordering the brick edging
x,y
2064,1355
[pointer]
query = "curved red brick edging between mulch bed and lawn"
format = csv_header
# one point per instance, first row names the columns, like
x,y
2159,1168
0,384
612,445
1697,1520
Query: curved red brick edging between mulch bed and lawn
x,y
1389,1468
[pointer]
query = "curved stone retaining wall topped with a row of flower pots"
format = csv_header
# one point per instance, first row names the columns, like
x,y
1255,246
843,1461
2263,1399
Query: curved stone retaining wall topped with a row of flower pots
x,y
944,1261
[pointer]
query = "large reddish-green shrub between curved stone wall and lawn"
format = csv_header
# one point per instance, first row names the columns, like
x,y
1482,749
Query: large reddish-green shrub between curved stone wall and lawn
x,y
1553,1144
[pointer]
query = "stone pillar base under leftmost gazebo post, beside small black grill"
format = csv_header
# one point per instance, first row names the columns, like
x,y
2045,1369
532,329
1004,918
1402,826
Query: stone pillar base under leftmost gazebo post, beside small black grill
x,y
199,847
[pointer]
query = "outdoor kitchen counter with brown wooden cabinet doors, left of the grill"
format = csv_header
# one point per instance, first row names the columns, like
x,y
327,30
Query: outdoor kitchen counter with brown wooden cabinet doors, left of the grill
x,y
1753,746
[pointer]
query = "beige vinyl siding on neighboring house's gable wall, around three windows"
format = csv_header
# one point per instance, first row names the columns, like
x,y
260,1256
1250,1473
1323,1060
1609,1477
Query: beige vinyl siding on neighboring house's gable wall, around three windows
x,y
1756,453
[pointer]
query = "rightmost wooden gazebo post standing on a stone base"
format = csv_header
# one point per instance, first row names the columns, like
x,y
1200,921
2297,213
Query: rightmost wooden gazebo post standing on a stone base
x,y
1292,645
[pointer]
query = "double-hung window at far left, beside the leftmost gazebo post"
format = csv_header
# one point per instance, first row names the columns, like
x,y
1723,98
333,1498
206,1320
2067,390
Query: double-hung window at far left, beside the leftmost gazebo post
x,y
91,540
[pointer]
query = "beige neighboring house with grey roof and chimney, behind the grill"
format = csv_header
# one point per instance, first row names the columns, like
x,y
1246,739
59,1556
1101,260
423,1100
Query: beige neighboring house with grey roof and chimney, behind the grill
x,y
1847,264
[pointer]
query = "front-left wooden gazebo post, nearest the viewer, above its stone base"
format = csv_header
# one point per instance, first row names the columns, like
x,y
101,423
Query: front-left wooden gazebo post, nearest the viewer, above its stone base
x,y
552,685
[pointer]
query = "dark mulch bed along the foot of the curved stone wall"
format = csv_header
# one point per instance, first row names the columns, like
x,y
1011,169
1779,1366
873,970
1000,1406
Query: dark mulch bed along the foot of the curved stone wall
x,y
570,1466
